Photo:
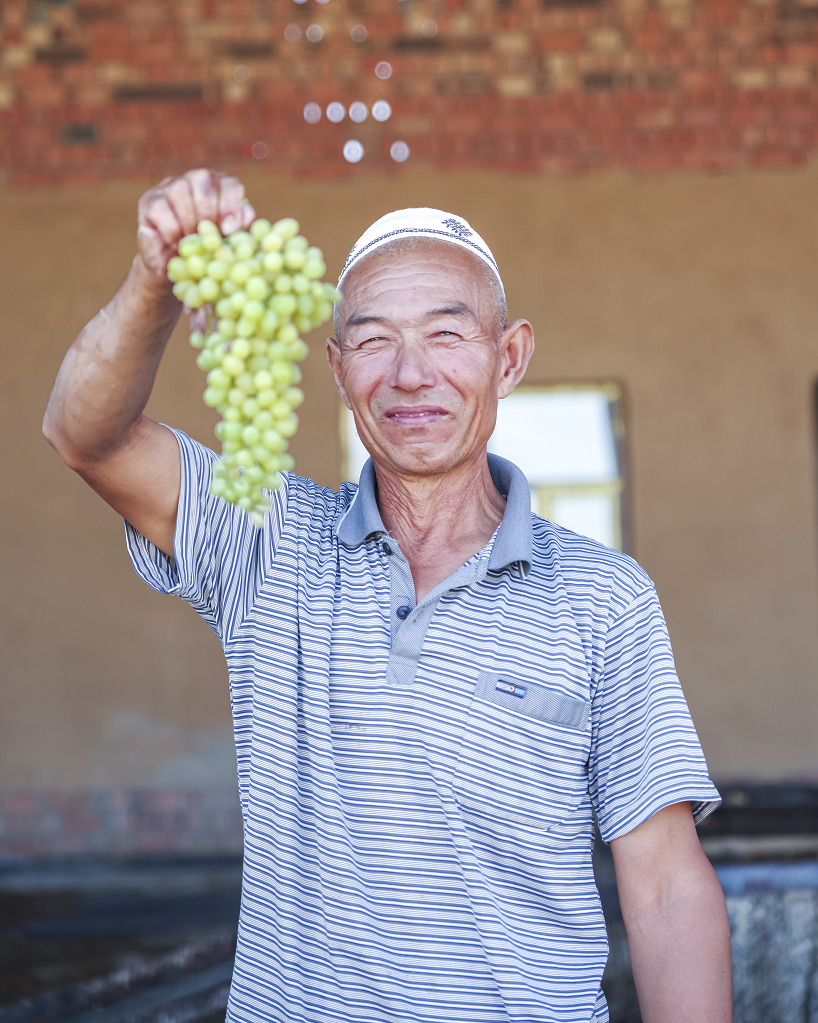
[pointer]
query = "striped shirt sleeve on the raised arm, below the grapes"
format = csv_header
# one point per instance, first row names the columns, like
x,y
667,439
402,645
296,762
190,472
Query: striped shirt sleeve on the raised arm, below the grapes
x,y
219,555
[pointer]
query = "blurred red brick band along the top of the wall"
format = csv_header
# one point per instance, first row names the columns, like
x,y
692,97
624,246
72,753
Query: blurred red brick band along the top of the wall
x,y
98,88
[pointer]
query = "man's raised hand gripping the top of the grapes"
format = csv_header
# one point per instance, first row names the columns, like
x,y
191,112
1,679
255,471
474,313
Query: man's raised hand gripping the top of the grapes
x,y
174,208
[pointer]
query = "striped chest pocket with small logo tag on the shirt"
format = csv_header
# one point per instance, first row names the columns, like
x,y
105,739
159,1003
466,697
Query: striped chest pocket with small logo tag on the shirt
x,y
524,753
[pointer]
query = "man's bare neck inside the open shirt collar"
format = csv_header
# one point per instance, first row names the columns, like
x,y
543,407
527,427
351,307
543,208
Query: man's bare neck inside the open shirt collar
x,y
440,522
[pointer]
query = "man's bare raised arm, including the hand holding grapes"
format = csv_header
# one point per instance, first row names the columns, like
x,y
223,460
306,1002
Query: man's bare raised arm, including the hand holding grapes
x,y
96,417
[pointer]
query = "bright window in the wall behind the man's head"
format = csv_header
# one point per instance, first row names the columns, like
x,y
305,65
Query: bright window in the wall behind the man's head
x,y
569,442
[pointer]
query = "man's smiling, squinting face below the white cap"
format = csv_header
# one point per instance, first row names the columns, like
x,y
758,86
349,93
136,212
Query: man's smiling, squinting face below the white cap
x,y
421,358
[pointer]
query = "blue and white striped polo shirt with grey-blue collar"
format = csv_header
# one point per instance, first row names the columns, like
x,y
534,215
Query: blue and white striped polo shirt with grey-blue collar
x,y
419,780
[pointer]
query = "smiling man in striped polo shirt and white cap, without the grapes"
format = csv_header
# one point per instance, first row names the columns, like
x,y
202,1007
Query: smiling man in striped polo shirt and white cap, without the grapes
x,y
434,692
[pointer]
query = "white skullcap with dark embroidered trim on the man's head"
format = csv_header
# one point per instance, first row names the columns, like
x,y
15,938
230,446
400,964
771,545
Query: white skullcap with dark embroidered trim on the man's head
x,y
421,223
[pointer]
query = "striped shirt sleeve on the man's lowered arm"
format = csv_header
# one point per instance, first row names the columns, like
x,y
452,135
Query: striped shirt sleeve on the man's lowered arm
x,y
646,754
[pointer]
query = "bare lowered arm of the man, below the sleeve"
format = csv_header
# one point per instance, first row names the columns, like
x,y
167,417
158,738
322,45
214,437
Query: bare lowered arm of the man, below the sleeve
x,y
676,919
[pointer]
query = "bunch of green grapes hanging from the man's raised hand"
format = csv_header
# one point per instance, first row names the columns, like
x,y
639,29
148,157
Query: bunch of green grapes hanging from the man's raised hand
x,y
258,291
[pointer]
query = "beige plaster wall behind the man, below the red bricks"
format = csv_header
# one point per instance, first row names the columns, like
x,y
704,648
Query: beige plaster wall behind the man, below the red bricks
x,y
698,294
